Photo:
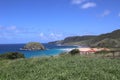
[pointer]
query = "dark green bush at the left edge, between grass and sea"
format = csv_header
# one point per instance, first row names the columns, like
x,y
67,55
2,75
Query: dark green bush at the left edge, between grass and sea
x,y
12,55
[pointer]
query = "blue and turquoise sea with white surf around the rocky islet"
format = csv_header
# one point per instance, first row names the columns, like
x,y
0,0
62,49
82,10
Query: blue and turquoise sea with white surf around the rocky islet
x,y
50,51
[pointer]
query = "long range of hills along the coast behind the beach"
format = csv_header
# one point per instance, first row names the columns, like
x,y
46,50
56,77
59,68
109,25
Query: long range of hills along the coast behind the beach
x,y
111,39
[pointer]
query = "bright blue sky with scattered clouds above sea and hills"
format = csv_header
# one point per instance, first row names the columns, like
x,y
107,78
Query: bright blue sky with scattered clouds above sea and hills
x,y
23,21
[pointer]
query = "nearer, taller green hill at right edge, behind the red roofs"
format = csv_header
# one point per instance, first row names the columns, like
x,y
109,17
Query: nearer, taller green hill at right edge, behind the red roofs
x,y
107,40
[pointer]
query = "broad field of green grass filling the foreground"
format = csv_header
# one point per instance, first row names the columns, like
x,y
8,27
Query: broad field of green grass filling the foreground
x,y
60,68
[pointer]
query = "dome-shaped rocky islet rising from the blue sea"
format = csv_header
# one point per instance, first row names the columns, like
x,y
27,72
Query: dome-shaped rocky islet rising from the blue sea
x,y
33,46
